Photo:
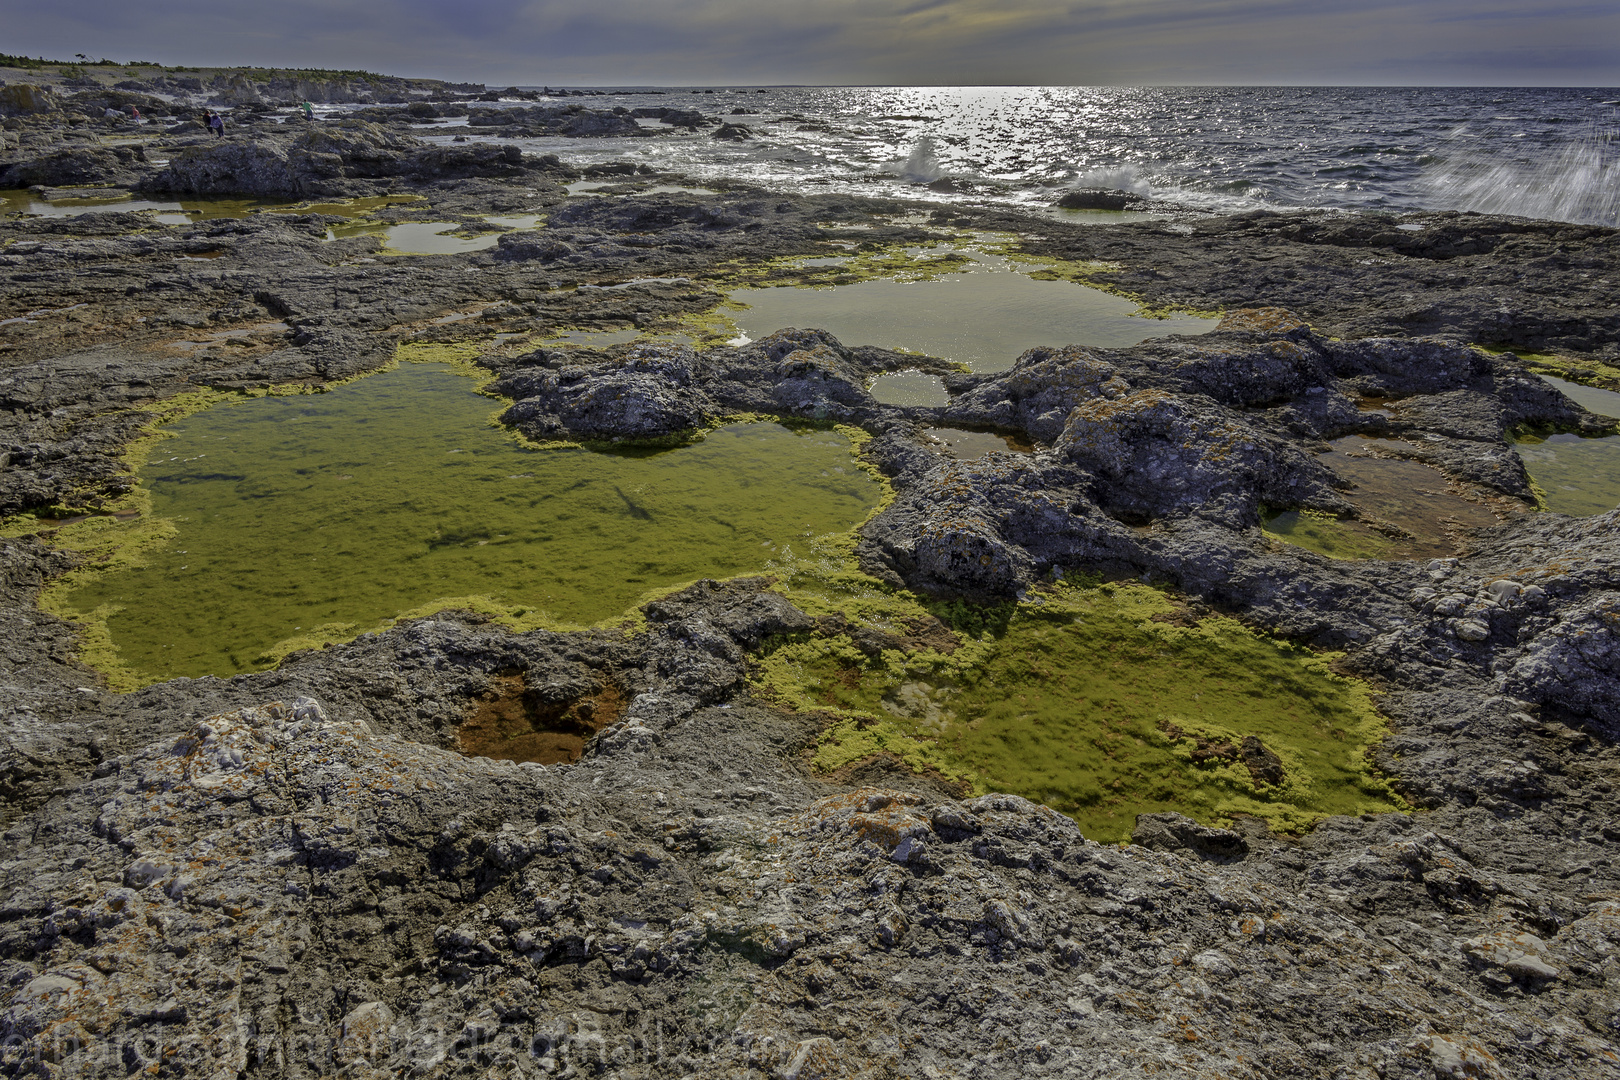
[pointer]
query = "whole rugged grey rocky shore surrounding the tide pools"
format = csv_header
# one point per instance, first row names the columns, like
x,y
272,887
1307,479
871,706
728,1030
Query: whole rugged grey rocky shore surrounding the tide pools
x,y
301,874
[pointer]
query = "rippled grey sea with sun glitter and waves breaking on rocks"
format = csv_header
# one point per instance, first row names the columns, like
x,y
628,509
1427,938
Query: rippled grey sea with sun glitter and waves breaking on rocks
x,y
1533,153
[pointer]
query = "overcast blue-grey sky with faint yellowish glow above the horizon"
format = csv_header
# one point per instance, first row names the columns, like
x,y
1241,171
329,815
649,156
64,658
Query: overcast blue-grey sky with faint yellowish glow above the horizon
x,y
715,43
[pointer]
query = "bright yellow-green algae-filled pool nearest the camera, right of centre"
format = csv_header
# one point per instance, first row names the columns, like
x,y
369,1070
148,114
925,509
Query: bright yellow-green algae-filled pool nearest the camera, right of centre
x,y
1093,700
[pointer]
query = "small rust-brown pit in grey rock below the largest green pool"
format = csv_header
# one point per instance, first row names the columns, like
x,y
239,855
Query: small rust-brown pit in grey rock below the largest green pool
x,y
509,723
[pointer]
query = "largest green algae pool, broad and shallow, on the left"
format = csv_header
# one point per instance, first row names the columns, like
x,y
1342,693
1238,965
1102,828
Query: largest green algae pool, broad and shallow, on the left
x,y
312,519
